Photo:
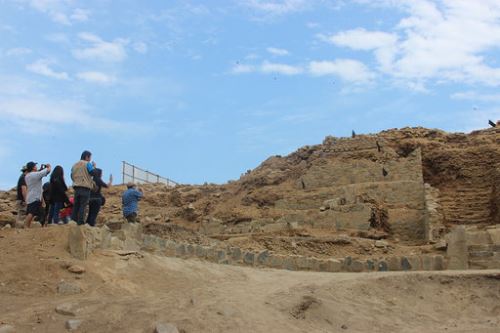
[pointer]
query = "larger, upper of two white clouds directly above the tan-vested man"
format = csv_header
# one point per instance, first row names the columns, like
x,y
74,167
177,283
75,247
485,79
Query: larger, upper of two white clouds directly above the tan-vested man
x,y
101,50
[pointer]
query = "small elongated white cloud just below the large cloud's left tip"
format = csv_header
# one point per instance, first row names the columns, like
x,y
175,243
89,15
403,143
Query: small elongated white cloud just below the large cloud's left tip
x,y
347,69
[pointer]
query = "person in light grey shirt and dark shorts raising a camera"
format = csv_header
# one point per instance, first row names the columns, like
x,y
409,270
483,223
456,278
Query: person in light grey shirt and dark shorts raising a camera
x,y
33,180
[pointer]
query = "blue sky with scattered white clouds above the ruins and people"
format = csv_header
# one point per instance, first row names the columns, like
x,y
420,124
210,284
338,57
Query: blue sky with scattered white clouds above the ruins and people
x,y
202,91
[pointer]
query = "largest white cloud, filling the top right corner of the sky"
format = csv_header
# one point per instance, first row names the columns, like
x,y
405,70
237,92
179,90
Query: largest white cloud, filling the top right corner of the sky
x,y
443,41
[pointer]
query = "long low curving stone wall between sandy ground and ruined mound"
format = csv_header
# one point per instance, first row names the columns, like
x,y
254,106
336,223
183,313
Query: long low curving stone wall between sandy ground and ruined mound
x,y
84,239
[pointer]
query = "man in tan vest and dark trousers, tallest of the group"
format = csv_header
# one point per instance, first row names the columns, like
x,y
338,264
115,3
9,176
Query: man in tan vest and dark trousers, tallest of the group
x,y
81,174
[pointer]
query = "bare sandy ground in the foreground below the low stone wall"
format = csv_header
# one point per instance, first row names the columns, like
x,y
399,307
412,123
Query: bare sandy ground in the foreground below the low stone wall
x,y
131,293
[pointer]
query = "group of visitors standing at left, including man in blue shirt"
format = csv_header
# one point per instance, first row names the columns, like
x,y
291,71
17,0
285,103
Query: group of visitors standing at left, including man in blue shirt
x,y
50,202
